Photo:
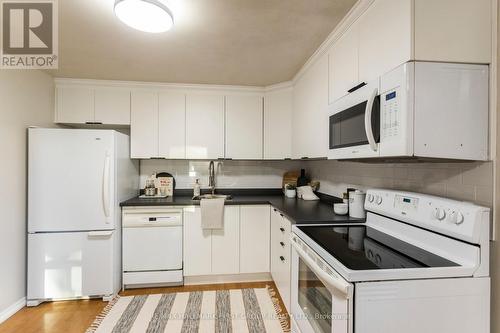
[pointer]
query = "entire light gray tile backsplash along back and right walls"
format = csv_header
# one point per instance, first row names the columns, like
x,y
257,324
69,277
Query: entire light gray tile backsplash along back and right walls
x,y
470,181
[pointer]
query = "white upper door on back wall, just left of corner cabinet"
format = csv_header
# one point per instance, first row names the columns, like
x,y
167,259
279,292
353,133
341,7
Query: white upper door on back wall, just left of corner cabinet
x,y
244,127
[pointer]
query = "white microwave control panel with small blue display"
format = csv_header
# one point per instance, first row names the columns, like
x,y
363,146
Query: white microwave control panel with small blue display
x,y
391,114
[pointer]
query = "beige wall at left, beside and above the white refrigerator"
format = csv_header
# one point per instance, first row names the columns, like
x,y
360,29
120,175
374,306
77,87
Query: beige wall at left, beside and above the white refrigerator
x,y
26,99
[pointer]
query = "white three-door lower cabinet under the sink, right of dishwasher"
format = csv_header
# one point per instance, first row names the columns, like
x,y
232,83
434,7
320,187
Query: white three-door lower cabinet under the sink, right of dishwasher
x,y
242,246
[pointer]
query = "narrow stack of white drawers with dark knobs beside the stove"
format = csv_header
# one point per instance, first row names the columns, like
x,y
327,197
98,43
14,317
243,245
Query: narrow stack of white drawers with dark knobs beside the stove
x,y
281,255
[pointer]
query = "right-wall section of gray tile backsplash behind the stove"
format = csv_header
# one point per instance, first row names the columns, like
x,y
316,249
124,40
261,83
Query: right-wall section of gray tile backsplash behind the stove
x,y
469,181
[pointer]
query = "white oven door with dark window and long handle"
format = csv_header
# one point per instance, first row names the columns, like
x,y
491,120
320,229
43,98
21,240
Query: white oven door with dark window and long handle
x,y
322,301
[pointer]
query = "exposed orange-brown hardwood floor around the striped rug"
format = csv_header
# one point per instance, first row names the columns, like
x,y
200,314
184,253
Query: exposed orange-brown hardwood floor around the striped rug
x,y
76,316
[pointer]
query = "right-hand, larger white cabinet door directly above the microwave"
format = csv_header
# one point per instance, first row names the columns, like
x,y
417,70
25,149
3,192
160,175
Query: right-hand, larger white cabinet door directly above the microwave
x,y
384,43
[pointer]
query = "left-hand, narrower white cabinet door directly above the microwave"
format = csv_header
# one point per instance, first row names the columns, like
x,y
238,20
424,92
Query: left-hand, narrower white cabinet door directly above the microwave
x,y
343,64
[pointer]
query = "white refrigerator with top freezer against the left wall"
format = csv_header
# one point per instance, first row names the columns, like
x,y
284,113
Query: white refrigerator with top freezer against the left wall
x,y
76,180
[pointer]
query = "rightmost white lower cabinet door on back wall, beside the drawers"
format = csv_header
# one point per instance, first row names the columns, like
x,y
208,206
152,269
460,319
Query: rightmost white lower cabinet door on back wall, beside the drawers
x,y
255,233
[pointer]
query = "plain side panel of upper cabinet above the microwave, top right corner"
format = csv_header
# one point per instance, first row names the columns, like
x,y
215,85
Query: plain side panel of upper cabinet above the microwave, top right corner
x,y
453,30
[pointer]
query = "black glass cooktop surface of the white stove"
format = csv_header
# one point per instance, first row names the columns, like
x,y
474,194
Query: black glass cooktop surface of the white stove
x,y
364,248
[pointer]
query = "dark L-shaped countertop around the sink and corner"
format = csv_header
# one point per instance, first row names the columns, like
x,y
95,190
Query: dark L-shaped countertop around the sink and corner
x,y
297,210
